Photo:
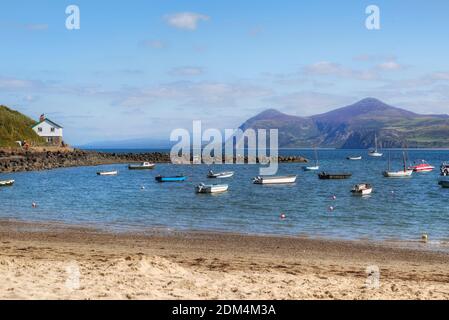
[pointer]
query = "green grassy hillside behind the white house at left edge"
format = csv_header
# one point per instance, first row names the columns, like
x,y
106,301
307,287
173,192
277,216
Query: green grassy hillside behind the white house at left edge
x,y
15,126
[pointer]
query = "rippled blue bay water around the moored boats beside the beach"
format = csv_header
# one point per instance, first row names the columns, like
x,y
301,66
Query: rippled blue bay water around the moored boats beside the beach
x,y
399,209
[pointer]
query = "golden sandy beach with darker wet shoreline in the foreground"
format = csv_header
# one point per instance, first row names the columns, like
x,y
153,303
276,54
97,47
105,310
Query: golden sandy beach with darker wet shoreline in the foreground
x,y
43,261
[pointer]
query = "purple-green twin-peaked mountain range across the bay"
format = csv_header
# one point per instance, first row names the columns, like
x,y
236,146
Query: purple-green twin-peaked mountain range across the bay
x,y
355,126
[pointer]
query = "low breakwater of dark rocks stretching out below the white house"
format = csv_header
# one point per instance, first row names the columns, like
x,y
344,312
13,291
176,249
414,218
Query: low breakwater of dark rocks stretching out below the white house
x,y
16,161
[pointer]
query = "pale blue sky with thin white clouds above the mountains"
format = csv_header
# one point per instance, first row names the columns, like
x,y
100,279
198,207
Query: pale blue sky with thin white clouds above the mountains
x,y
140,69
